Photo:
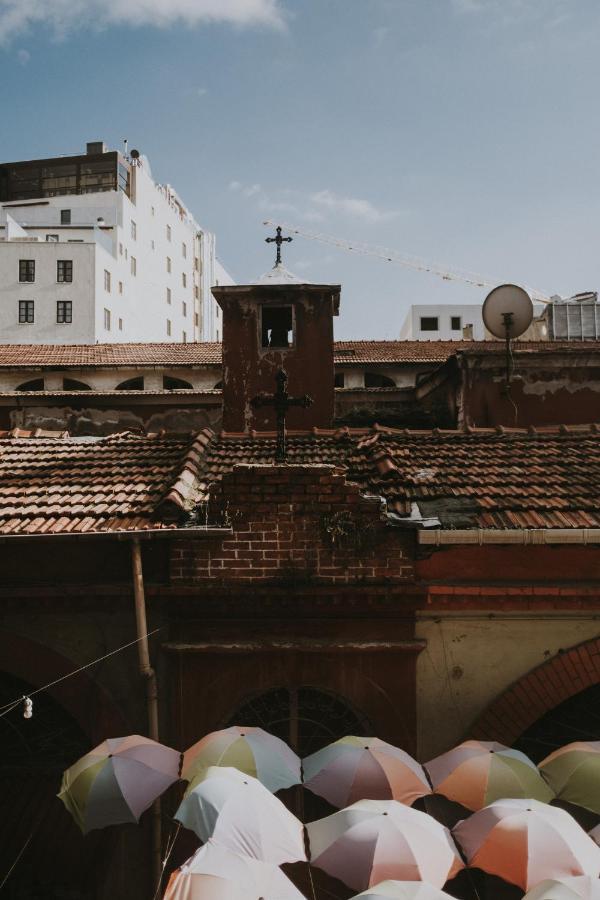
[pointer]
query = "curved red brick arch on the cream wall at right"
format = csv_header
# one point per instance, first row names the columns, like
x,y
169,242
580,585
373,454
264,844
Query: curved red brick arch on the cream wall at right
x,y
539,691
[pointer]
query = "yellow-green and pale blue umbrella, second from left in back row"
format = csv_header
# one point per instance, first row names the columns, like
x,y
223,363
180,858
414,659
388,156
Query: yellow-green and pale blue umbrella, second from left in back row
x,y
251,750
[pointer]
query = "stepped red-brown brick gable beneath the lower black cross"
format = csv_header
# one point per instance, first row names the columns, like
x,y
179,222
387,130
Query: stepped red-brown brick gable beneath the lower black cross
x,y
298,523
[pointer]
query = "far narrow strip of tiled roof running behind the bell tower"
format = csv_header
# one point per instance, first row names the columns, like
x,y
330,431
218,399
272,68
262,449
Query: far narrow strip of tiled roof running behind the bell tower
x,y
173,355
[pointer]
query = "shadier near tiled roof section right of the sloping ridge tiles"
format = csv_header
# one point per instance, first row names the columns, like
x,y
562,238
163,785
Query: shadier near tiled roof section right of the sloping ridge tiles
x,y
486,478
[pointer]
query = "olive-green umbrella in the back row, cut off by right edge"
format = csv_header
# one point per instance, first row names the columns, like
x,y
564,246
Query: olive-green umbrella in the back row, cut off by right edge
x,y
573,772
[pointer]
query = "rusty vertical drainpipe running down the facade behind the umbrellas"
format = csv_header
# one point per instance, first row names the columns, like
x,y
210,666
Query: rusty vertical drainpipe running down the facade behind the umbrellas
x,y
149,674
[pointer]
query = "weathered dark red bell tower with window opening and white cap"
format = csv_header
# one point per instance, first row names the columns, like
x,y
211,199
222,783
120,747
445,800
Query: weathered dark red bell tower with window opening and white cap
x,y
277,323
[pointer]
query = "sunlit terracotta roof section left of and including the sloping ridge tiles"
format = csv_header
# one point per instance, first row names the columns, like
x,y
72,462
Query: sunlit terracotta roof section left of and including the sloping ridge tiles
x,y
50,482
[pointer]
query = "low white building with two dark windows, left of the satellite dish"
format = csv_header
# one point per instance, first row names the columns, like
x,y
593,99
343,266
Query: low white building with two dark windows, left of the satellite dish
x,y
442,322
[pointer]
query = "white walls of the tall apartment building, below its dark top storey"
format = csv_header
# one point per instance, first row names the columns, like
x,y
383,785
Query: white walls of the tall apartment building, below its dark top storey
x,y
161,265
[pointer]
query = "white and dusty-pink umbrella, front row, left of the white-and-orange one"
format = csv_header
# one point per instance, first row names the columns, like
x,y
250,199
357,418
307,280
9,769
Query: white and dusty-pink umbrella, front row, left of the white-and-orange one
x,y
375,840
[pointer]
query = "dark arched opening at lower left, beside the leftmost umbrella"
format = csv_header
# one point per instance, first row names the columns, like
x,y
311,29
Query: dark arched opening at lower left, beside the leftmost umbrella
x,y
51,857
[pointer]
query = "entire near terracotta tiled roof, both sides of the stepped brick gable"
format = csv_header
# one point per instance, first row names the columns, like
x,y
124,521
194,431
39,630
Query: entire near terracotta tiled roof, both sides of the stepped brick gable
x,y
546,478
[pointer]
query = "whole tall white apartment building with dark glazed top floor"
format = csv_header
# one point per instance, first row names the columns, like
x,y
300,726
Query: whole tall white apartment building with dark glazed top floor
x,y
92,250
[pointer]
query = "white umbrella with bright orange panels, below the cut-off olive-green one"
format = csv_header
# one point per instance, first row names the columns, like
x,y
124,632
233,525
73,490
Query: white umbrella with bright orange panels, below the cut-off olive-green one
x,y
525,842
